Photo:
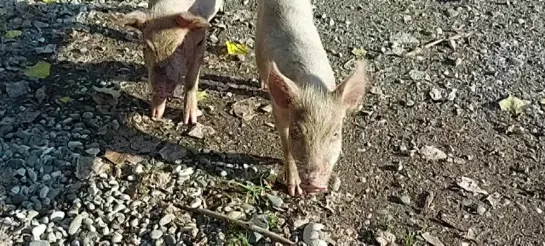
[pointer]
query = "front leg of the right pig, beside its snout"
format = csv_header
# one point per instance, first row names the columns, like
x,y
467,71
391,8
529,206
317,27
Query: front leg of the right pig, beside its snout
x,y
291,175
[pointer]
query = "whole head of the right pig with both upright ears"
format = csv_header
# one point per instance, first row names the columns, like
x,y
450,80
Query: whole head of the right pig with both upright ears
x,y
316,117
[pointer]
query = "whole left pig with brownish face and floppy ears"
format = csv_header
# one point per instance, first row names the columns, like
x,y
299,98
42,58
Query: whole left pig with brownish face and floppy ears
x,y
174,39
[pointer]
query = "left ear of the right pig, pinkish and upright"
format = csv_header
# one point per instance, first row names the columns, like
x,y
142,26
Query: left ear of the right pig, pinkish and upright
x,y
283,90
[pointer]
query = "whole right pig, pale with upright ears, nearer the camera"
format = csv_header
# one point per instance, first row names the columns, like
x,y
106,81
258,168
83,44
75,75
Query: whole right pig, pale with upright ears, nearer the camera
x,y
308,107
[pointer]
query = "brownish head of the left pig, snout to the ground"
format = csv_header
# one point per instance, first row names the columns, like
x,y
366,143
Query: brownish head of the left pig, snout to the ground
x,y
171,43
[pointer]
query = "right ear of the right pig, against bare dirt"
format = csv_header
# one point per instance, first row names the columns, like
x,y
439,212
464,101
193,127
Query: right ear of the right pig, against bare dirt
x,y
351,90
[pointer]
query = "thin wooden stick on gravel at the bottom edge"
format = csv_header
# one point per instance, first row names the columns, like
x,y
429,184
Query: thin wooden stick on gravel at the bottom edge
x,y
247,225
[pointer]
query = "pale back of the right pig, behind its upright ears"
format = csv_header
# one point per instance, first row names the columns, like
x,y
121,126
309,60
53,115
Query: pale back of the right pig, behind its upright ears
x,y
289,37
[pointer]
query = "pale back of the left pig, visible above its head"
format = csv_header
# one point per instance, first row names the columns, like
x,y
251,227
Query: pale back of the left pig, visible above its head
x,y
204,8
